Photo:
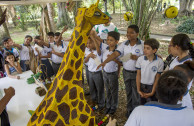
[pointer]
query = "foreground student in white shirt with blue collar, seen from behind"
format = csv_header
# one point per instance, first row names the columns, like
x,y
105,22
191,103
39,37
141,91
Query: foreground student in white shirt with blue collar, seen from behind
x,y
171,87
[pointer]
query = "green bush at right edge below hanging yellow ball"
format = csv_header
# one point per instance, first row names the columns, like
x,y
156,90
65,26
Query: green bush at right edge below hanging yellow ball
x,y
186,27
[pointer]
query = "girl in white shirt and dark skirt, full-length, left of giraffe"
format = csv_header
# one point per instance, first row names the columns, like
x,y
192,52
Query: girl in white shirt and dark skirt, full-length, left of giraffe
x,y
43,54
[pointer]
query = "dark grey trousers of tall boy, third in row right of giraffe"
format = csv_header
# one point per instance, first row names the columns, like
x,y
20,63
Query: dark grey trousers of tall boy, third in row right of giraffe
x,y
133,97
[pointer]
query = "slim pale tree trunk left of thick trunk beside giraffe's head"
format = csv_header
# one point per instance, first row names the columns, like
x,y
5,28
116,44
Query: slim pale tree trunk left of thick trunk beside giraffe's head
x,y
51,17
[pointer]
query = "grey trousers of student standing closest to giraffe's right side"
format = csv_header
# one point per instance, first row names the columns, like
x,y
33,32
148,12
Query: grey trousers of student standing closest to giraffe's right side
x,y
96,85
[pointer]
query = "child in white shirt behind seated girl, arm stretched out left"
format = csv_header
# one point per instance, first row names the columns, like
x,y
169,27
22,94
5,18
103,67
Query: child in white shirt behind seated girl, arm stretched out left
x,y
25,51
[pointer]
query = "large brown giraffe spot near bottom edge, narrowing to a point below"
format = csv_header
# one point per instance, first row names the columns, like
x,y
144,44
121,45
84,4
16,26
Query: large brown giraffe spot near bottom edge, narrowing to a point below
x,y
64,110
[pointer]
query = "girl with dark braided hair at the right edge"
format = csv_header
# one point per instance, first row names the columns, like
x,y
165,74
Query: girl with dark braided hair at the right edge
x,y
181,48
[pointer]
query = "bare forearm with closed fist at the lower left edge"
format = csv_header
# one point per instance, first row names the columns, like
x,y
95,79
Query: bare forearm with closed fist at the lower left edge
x,y
9,93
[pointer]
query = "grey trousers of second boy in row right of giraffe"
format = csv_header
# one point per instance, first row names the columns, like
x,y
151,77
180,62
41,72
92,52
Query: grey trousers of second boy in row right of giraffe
x,y
111,85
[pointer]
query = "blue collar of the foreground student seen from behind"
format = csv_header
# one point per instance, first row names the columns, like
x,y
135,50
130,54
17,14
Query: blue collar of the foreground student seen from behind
x,y
165,106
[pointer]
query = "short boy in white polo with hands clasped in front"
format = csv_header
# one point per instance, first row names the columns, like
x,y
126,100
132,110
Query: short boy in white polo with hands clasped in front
x,y
149,68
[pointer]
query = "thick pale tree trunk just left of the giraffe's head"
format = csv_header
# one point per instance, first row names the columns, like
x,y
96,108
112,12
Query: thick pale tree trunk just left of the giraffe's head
x,y
63,16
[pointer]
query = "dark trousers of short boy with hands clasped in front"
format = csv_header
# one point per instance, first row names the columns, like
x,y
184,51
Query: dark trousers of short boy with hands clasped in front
x,y
147,89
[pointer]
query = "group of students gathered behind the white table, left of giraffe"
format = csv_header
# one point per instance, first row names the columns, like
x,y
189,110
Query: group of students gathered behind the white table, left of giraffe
x,y
15,62
